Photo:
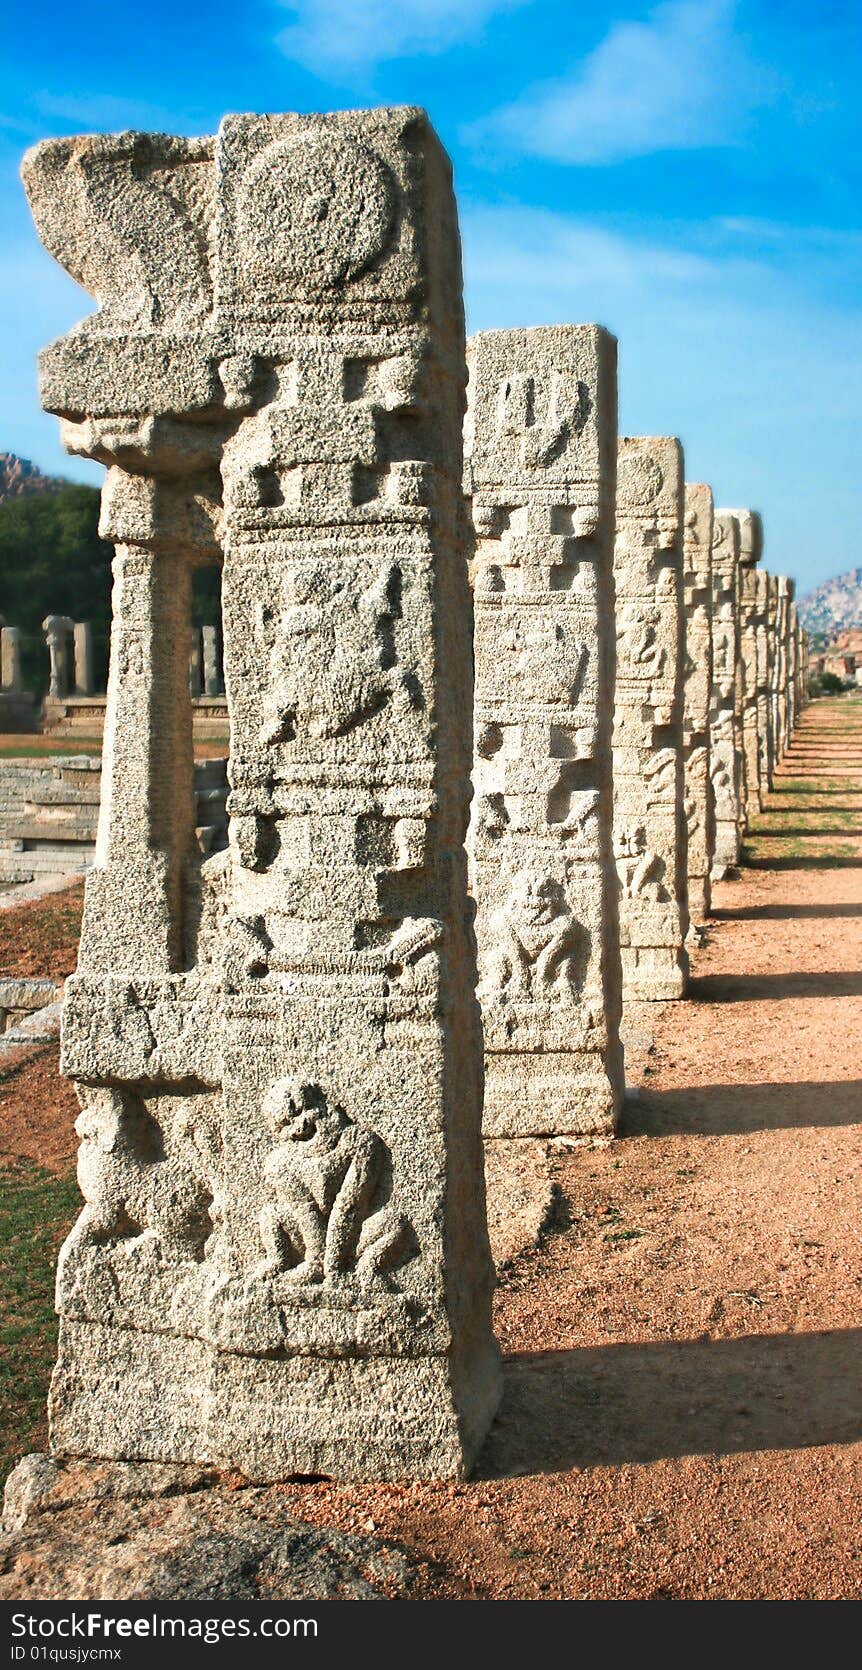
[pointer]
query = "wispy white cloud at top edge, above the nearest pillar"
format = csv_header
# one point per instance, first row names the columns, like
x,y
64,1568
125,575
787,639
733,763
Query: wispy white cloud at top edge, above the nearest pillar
x,y
340,38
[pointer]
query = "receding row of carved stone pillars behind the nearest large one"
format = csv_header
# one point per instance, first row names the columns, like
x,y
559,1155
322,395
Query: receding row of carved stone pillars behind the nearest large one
x,y
606,587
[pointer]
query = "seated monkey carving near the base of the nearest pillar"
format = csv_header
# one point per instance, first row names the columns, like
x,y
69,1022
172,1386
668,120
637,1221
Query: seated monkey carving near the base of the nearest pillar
x,y
330,1183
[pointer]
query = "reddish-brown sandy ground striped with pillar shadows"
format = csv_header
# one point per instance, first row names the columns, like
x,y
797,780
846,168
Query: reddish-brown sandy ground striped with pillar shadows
x,y
684,1350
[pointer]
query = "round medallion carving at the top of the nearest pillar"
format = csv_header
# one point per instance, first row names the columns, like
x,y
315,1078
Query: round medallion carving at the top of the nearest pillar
x,y
317,210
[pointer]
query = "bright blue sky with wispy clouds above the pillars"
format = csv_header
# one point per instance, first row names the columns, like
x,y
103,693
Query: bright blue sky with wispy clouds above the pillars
x,y
687,175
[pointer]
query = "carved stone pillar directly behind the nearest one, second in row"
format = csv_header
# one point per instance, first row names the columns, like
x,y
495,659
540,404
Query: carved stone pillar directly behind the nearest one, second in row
x,y
542,458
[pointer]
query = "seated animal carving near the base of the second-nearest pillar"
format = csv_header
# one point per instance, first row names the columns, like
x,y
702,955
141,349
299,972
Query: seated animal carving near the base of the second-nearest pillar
x,y
537,943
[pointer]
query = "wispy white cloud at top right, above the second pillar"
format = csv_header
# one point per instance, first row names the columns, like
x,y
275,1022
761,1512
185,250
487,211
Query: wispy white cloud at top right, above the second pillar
x,y
679,81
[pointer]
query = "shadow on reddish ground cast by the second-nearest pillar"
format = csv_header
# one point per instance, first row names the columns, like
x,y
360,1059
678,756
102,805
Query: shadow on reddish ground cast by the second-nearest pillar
x,y
741,1110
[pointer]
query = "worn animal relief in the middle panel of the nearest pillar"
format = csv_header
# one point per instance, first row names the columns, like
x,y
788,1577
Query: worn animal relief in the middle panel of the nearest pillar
x,y
333,660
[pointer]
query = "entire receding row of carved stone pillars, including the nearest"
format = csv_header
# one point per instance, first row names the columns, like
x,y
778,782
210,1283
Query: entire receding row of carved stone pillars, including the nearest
x,y
283,1263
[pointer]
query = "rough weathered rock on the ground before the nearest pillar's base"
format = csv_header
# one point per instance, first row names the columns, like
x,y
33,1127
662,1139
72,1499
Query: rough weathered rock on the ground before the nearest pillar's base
x,y
139,1532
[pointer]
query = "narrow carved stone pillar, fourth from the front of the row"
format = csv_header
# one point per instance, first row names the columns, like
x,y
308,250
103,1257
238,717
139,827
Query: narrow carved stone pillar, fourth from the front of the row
x,y
699,797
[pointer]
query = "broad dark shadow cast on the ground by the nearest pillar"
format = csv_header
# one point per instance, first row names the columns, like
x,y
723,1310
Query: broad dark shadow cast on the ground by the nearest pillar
x,y
637,1404
